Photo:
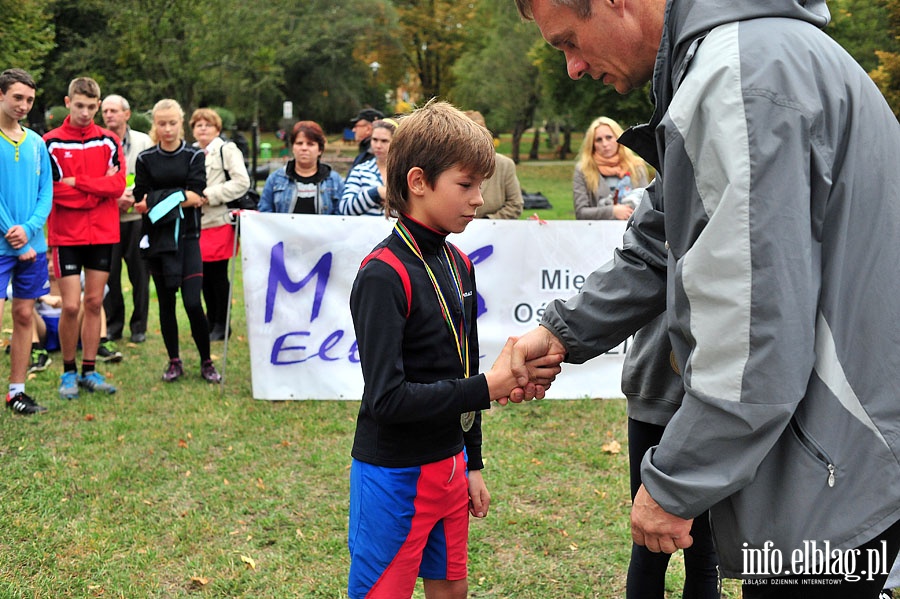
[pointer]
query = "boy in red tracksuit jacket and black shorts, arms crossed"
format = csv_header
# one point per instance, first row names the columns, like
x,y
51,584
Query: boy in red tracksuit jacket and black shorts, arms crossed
x,y
88,177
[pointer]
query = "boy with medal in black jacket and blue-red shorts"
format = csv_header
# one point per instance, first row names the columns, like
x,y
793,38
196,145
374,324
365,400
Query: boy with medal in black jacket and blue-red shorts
x,y
416,472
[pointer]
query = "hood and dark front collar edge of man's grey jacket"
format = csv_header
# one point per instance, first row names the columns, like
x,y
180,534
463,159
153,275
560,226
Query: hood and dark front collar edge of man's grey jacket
x,y
686,24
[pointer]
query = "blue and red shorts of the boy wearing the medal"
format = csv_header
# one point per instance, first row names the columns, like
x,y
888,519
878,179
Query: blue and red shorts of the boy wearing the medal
x,y
407,523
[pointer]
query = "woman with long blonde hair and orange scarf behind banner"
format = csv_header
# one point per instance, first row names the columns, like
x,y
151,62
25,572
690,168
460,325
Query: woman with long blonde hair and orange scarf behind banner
x,y
605,173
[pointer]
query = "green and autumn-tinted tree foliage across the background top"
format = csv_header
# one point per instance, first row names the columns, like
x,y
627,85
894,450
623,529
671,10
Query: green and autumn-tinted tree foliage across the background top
x,y
251,57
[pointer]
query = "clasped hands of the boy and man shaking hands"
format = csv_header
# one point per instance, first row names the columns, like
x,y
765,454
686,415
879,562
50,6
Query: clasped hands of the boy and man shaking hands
x,y
526,367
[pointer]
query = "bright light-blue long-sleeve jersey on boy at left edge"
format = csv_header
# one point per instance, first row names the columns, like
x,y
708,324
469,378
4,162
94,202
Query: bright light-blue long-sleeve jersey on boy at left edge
x,y
26,190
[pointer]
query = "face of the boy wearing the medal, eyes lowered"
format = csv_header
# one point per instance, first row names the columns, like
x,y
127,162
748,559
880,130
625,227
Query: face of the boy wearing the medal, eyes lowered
x,y
451,205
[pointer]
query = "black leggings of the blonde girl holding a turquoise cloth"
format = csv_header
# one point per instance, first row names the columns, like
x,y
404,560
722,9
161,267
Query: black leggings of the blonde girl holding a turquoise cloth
x,y
191,287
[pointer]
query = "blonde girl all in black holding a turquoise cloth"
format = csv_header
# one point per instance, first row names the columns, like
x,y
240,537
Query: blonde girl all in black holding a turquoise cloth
x,y
169,182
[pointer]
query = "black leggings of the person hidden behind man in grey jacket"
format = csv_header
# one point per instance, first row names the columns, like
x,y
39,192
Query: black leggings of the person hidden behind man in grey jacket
x,y
647,570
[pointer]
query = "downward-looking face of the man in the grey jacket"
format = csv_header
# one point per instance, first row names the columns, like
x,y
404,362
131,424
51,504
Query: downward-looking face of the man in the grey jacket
x,y
617,44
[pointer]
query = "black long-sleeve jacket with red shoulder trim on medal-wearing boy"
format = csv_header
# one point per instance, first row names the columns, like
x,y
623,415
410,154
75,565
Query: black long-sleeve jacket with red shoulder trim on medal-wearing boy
x,y
415,384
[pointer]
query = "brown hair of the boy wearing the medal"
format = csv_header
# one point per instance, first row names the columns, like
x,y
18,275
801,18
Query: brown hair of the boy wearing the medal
x,y
435,138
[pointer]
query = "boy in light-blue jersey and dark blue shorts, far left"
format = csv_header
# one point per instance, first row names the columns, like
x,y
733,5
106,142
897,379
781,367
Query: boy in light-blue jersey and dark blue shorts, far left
x,y
26,195
